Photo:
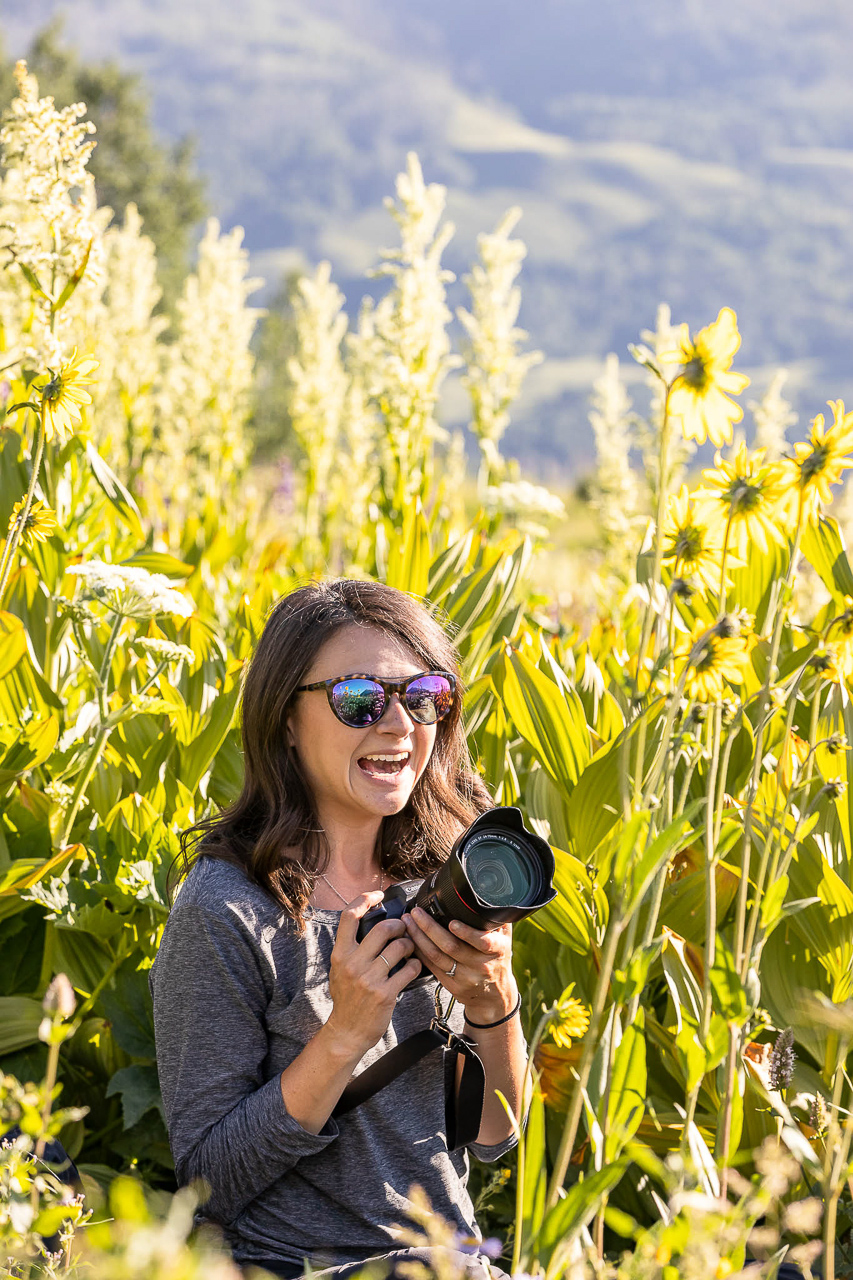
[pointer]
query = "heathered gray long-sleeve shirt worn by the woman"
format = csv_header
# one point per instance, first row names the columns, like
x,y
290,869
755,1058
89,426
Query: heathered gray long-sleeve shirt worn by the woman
x,y
238,995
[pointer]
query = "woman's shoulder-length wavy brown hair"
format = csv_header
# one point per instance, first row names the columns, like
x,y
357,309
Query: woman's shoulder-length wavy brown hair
x,y
272,830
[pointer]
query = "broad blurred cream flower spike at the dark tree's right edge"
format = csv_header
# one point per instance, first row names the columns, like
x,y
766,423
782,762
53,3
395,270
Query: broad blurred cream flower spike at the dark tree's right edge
x,y
204,400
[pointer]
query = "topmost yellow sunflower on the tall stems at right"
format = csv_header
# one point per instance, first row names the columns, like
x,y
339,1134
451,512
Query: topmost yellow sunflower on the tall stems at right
x,y
700,396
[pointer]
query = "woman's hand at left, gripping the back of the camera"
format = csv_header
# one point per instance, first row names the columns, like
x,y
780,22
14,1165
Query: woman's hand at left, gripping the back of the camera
x,y
363,990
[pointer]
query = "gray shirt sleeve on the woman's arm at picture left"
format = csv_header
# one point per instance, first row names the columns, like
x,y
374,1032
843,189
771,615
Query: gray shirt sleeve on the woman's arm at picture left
x,y
227,1124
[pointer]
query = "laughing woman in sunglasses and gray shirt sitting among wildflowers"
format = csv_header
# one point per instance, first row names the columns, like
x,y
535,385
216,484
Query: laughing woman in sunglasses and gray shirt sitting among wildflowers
x,y
264,1002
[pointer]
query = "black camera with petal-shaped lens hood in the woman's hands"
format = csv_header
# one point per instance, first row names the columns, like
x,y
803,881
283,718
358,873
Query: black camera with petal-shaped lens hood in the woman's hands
x,y
496,872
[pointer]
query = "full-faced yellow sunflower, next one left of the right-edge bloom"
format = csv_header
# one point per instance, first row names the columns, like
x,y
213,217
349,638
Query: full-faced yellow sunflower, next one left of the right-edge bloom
x,y
747,493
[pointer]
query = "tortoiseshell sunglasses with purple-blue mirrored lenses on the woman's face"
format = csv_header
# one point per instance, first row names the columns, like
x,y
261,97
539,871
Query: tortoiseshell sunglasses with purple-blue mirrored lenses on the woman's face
x,y
362,701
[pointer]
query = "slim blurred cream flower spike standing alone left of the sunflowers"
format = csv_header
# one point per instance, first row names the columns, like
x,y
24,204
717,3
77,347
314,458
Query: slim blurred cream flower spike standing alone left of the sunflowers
x,y
617,495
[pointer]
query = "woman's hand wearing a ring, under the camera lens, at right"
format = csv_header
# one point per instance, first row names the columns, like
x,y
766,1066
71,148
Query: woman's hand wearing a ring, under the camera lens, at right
x,y
482,963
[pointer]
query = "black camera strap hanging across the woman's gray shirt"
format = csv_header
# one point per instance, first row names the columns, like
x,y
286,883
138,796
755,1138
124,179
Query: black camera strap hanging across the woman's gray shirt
x,y
463,1107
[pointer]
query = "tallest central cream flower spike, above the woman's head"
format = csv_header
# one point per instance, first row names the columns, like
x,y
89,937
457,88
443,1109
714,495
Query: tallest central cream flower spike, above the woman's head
x,y
403,350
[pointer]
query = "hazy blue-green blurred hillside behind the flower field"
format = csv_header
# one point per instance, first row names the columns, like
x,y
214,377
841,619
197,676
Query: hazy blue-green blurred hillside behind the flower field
x,y
673,152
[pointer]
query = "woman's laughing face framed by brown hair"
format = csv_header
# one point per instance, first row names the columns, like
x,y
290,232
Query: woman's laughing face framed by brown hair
x,y
346,784
